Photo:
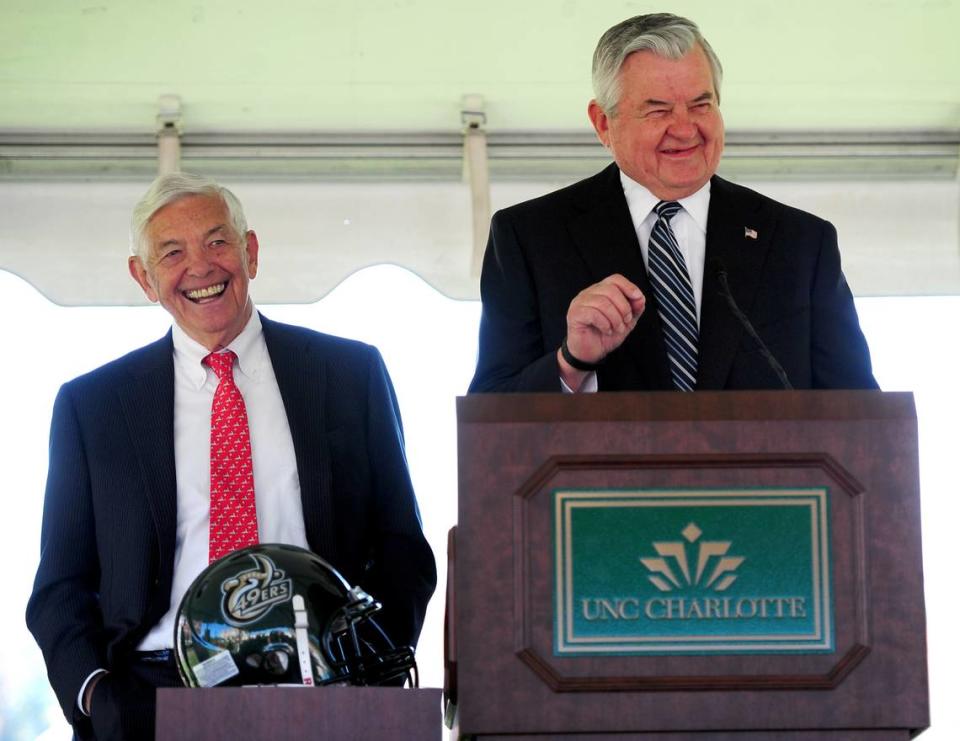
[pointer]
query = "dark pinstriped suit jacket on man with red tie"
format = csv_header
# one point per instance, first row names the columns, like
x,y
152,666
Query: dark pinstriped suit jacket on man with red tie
x,y
109,520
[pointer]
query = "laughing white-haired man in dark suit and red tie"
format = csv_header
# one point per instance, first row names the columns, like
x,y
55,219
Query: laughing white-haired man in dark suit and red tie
x,y
127,520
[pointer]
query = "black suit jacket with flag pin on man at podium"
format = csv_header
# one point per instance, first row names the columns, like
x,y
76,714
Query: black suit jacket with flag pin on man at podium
x,y
787,280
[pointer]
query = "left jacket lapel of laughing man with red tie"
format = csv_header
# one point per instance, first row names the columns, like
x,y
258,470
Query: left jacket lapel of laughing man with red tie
x,y
147,403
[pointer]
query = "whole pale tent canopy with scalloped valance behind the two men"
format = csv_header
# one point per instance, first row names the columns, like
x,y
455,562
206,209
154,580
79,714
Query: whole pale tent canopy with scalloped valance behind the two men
x,y
339,124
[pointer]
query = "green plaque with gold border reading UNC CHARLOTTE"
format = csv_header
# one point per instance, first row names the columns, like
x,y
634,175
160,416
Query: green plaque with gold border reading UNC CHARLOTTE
x,y
697,571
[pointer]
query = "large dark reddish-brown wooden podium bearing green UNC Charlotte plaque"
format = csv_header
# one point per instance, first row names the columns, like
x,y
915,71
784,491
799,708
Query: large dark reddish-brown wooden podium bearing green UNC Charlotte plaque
x,y
510,675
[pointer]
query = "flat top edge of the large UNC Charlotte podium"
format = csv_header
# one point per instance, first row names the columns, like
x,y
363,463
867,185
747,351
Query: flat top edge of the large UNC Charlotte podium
x,y
629,406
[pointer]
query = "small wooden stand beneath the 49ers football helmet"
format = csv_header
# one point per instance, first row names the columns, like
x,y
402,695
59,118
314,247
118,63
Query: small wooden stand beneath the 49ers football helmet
x,y
298,714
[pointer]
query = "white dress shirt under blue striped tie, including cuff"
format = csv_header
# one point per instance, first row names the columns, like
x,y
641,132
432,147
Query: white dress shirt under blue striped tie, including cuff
x,y
690,228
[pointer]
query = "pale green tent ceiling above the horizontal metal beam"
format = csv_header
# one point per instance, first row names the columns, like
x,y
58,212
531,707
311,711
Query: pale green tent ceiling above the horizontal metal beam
x,y
329,65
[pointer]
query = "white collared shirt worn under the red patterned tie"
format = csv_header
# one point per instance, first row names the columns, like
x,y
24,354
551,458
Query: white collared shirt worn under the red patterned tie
x,y
275,480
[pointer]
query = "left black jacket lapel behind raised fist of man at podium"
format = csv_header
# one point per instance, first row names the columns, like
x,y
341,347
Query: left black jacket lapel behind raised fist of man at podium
x,y
603,234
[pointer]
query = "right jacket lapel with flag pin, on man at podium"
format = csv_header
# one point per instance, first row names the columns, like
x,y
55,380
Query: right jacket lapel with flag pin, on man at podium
x,y
733,211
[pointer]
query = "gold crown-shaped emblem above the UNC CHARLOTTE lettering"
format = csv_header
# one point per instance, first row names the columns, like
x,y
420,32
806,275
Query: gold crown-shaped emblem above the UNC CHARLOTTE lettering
x,y
671,569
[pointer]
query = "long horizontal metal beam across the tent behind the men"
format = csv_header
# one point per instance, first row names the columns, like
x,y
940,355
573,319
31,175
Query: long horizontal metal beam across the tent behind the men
x,y
356,156
